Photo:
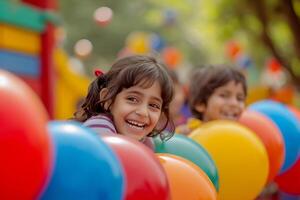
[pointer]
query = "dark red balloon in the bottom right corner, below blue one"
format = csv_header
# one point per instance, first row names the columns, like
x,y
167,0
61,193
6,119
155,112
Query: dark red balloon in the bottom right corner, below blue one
x,y
289,181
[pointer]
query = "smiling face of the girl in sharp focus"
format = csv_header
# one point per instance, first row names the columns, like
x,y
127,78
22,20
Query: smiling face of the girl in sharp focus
x,y
137,110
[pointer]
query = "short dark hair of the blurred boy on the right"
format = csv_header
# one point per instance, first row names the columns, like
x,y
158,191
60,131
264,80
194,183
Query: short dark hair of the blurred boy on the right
x,y
205,80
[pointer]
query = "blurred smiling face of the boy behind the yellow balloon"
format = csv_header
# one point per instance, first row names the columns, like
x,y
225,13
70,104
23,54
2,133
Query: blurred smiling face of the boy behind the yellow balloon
x,y
226,103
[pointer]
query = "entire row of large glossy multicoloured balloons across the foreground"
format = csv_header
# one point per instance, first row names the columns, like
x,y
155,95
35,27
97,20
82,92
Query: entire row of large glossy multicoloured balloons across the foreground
x,y
223,160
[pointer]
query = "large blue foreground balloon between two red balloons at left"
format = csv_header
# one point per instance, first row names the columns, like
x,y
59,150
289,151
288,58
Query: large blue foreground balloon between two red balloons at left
x,y
85,167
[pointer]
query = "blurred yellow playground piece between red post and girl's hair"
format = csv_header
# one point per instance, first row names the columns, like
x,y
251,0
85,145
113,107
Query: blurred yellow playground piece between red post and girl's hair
x,y
70,88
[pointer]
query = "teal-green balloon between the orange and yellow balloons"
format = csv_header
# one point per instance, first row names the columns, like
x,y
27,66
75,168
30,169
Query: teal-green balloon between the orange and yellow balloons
x,y
187,148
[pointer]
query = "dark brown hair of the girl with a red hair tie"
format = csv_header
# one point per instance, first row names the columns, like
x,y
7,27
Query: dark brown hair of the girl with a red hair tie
x,y
125,73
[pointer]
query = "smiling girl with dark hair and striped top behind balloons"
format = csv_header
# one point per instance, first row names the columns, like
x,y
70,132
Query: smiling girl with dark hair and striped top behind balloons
x,y
131,99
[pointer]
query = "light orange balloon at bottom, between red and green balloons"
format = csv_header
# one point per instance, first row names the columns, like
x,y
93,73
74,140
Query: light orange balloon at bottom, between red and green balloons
x,y
187,180
